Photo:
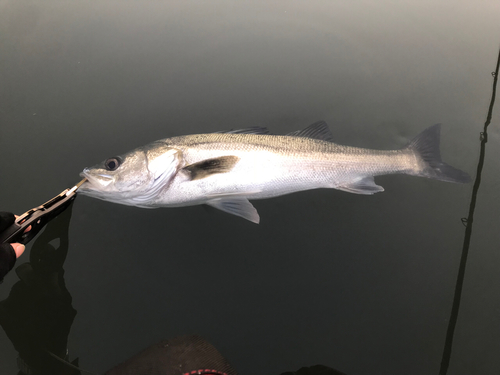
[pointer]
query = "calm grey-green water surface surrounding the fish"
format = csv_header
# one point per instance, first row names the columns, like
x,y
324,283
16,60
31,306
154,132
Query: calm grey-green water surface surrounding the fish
x,y
363,284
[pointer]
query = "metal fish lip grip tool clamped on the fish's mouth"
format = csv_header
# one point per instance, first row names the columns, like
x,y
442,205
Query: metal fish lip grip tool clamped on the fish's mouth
x,y
38,217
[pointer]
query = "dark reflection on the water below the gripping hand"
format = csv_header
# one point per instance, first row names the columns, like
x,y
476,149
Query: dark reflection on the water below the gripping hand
x,y
38,314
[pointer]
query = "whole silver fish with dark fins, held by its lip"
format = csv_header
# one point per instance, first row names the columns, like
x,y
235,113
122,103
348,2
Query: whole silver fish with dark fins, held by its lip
x,y
227,169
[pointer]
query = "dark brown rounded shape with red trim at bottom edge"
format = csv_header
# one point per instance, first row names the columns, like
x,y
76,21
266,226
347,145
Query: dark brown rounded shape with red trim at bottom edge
x,y
184,355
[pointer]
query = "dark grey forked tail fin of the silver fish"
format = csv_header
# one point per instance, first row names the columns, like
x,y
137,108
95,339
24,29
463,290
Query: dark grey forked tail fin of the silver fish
x,y
426,146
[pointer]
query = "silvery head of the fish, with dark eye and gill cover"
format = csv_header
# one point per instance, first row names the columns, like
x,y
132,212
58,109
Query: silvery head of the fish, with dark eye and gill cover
x,y
135,178
